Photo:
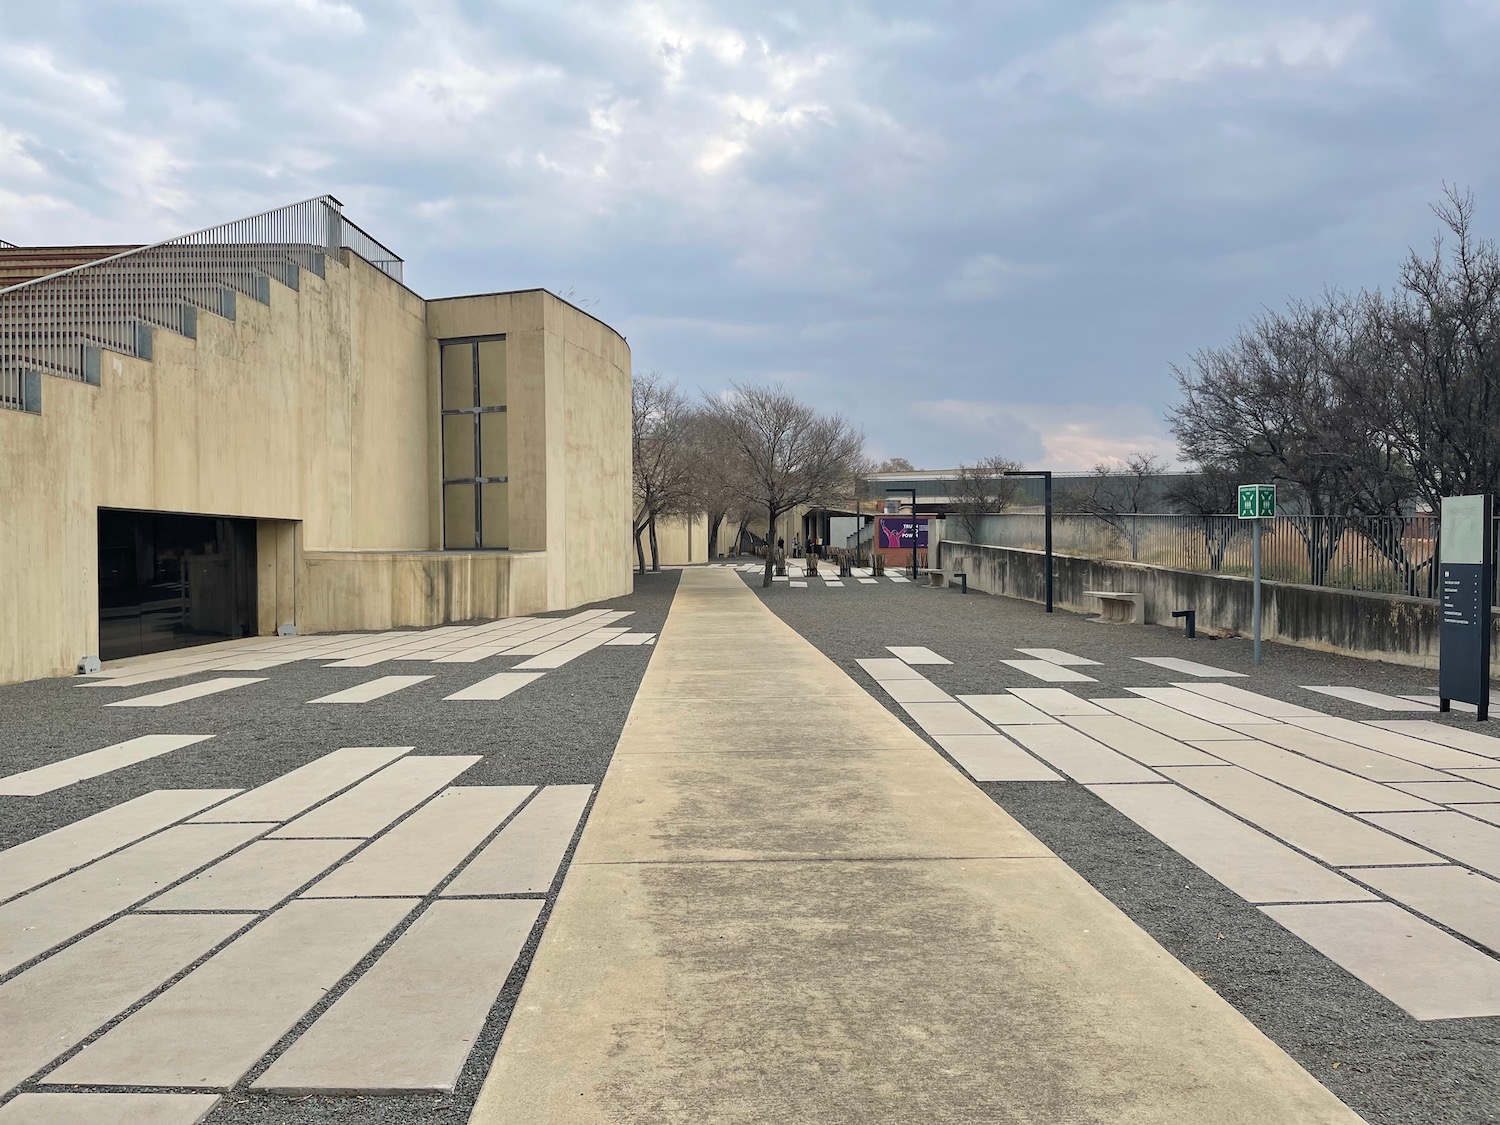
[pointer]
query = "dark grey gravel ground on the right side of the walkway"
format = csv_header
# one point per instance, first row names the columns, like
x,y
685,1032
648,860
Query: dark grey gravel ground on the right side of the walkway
x,y
1382,1063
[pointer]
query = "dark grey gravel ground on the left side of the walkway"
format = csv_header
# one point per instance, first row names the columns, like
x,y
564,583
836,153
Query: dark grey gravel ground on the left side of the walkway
x,y
560,730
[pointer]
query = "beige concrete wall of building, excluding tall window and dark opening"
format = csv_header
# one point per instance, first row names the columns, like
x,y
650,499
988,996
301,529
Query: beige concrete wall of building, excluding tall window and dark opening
x,y
319,416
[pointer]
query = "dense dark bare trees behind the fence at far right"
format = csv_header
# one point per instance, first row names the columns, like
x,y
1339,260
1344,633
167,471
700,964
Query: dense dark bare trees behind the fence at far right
x,y
1360,404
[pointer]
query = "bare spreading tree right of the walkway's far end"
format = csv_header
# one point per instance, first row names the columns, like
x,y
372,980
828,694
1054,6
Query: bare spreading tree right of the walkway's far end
x,y
781,454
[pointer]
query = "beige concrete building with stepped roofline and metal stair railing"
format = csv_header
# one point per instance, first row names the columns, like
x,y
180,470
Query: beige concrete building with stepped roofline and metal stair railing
x,y
260,427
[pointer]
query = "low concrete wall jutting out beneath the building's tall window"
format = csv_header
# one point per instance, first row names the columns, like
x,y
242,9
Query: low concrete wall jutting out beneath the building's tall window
x,y
347,590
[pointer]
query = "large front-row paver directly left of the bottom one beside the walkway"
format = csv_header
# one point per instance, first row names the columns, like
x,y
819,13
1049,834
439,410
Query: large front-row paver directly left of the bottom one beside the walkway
x,y
215,1024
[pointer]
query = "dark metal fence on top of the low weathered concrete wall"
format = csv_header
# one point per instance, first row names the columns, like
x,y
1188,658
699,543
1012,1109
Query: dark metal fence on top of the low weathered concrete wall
x,y
1381,554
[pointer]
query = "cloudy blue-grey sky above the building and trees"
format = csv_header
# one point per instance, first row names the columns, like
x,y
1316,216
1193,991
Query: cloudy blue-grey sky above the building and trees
x,y
973,227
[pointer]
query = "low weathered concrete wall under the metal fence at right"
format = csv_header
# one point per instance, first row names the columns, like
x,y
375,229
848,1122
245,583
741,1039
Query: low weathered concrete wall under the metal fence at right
x,y
1381,626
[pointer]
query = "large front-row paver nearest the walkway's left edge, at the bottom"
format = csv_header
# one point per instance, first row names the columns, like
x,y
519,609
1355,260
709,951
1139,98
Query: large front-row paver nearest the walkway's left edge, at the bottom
x,y
410,1022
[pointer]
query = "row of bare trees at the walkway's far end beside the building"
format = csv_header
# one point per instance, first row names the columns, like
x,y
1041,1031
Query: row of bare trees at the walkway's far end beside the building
x,y
748,454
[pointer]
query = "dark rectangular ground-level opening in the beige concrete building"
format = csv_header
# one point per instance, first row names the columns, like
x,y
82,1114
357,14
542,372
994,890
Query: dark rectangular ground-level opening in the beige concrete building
x,y
172,581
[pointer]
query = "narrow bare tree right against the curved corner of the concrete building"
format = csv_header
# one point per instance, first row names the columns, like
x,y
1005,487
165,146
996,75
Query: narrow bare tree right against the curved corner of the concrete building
x,y
664,455
